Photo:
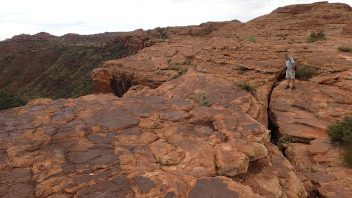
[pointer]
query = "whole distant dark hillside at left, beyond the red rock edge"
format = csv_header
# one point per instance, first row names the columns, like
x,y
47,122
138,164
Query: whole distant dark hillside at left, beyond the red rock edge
x,y
43,65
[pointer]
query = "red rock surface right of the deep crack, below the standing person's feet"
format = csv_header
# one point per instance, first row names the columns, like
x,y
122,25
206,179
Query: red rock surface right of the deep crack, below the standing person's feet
x,y
302,116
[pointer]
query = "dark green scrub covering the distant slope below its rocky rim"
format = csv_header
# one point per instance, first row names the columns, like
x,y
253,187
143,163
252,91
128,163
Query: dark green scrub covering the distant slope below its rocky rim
x,y
59,71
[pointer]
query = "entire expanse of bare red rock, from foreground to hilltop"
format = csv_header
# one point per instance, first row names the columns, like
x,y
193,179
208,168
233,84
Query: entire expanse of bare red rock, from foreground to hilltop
x,y
203,112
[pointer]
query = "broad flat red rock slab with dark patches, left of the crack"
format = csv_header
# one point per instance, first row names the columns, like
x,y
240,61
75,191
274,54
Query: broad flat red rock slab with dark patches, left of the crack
x,y
101,145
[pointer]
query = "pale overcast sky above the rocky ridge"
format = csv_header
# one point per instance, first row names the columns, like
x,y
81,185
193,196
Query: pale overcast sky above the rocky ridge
x,y
59,17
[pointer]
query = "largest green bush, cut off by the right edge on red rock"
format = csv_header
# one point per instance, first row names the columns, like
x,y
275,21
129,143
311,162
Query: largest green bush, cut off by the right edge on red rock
x,y
341,132
